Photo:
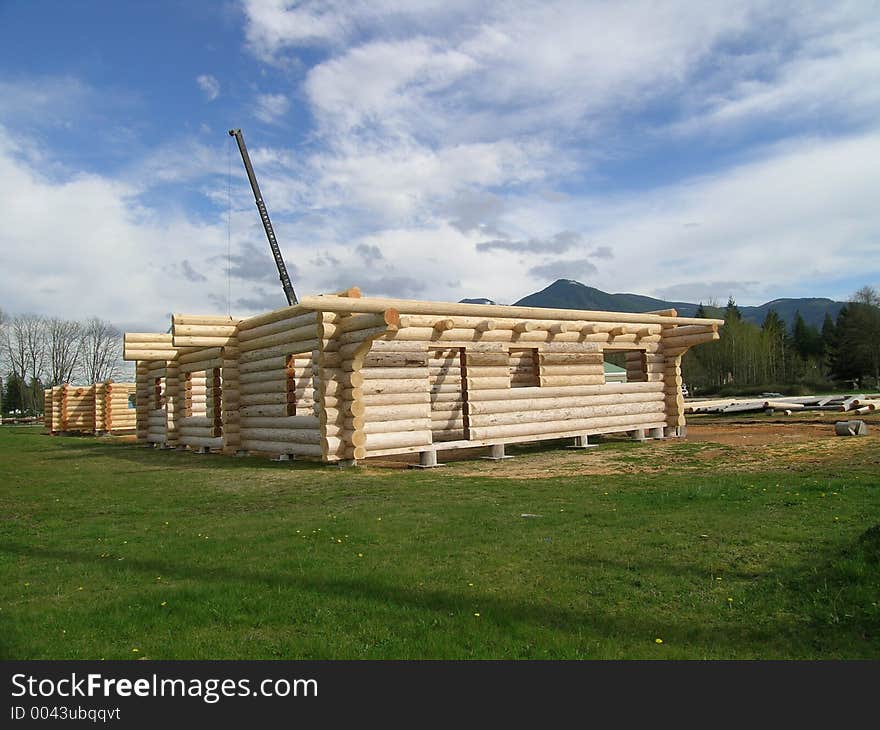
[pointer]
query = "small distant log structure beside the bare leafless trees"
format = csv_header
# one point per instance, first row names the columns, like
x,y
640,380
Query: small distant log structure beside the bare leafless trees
x,y
97,408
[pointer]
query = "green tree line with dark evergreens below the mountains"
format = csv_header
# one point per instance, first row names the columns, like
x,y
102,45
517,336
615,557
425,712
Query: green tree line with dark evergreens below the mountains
x,y
844,353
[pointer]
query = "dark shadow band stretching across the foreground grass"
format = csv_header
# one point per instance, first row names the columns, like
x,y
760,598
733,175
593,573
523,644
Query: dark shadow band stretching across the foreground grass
x,y
805,611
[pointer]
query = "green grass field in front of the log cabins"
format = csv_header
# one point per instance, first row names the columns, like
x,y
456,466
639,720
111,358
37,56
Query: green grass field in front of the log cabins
x,y
111,550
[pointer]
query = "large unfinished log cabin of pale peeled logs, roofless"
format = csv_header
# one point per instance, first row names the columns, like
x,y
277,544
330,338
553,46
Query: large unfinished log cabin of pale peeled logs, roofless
x,y
342,377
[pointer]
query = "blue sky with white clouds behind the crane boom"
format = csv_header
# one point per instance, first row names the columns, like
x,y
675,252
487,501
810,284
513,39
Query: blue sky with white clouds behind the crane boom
x,y
434,150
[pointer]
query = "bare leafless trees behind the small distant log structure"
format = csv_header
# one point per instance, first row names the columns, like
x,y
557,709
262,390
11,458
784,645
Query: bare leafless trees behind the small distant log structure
x,y
37,352
